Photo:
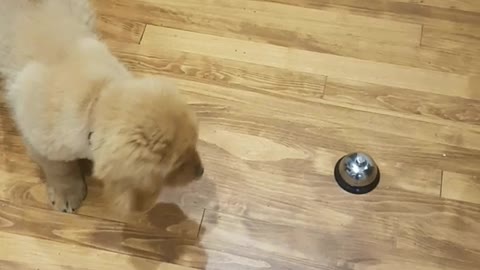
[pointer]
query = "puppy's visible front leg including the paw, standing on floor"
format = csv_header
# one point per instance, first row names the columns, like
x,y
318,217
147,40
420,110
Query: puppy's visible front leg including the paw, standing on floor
x,y
65,184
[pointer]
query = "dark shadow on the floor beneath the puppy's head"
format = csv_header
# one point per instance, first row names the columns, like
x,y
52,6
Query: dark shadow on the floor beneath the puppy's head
x,y
170,237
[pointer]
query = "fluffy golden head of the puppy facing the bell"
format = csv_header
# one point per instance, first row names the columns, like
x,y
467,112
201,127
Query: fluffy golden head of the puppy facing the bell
x,y
144,137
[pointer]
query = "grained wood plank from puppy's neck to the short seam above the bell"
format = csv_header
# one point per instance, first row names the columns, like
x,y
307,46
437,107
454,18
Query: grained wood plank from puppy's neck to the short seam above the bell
x,y
283,83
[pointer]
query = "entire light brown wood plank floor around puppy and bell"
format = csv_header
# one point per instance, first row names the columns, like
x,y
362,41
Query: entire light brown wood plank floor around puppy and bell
x,y
283,89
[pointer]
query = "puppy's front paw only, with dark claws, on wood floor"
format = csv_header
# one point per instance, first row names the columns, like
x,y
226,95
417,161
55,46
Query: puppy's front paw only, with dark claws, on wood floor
x,y
67,198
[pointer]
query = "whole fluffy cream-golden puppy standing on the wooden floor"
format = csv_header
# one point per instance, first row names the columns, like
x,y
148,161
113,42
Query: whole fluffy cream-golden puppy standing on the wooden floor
x,y
72,99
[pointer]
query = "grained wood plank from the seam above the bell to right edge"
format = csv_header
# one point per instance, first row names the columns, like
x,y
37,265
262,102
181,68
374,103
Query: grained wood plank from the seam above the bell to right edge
x,y
404,101
